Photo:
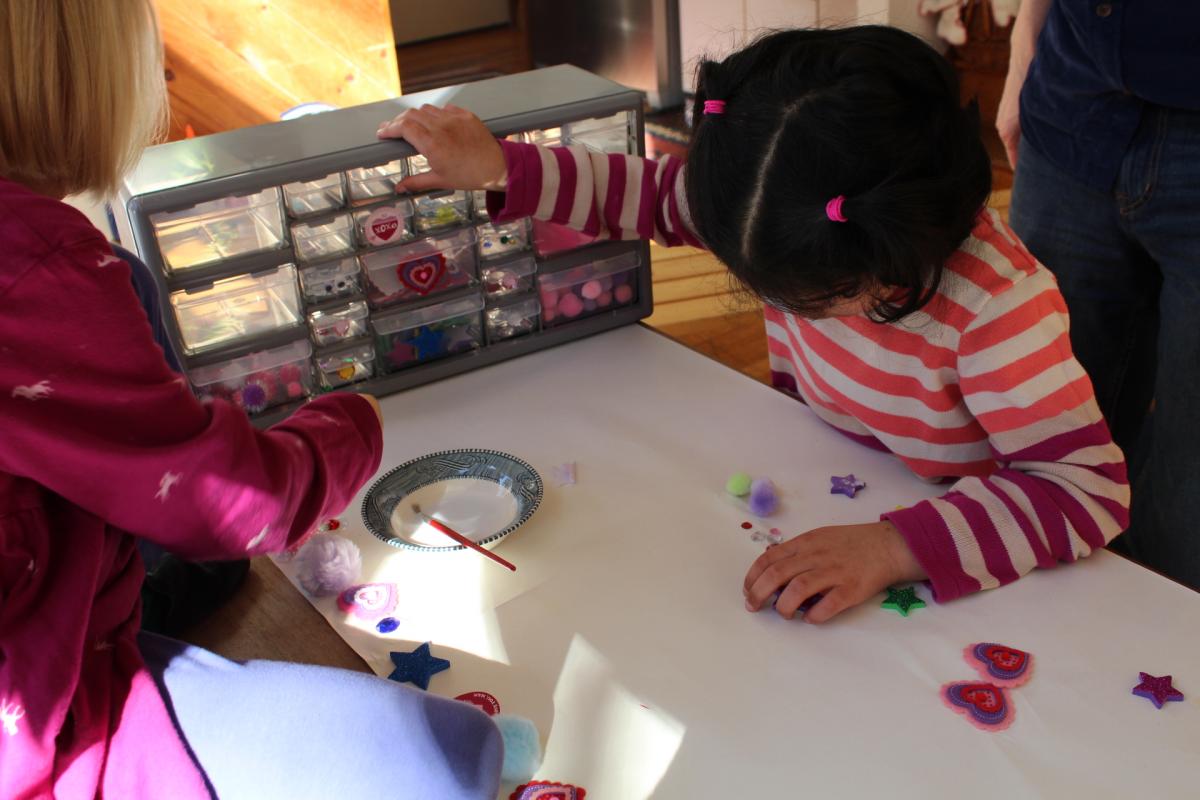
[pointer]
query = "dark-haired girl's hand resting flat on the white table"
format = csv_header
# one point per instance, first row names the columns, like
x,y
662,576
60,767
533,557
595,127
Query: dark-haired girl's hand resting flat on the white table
x,y
848,564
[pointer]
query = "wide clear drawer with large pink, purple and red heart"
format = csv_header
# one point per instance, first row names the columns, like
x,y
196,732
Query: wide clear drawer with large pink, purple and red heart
x,y
419,269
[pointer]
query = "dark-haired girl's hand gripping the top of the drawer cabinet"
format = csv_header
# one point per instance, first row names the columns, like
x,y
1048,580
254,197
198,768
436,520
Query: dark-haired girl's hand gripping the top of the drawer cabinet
x,y
463,153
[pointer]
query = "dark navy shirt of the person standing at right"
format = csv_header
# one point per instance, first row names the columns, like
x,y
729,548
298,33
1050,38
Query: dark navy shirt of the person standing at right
x,y
1100,65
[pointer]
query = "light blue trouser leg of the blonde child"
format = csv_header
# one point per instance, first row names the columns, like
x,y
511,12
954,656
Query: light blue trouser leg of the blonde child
x,y
273,731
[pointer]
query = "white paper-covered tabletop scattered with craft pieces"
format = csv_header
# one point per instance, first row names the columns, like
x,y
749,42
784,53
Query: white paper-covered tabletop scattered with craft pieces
x,y
623,634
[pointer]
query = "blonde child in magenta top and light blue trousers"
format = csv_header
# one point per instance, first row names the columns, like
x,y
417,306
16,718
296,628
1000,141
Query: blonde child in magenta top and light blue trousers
x,y
100,443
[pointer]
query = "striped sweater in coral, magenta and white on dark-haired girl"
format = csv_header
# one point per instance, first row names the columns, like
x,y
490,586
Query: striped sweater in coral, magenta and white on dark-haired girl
x,y
981,387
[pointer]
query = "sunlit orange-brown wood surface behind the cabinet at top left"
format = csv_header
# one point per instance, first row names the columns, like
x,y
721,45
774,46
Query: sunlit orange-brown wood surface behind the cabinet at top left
x,y
237,63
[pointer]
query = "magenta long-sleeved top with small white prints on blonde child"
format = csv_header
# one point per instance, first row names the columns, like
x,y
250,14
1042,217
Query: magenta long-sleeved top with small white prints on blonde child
x,y
100,442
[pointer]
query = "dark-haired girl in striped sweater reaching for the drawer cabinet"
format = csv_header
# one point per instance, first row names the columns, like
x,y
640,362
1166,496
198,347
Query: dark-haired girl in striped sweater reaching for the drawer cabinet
x,y
837,176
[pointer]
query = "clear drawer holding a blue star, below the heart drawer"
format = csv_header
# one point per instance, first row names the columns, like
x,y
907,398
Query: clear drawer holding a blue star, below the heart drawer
x,y
407,338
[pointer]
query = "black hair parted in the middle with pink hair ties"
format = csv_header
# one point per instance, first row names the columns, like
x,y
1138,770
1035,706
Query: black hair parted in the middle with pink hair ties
x,y
871,113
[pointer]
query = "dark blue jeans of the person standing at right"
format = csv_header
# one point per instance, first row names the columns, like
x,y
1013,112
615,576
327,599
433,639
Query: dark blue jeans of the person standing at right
x,y
1129,264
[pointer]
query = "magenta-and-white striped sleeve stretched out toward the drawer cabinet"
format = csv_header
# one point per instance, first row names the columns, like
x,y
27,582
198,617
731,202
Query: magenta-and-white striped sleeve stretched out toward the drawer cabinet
x,y
593,193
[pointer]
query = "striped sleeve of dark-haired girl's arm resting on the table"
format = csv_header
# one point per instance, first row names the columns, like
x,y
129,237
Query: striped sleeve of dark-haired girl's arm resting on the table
x,y
1060,489
